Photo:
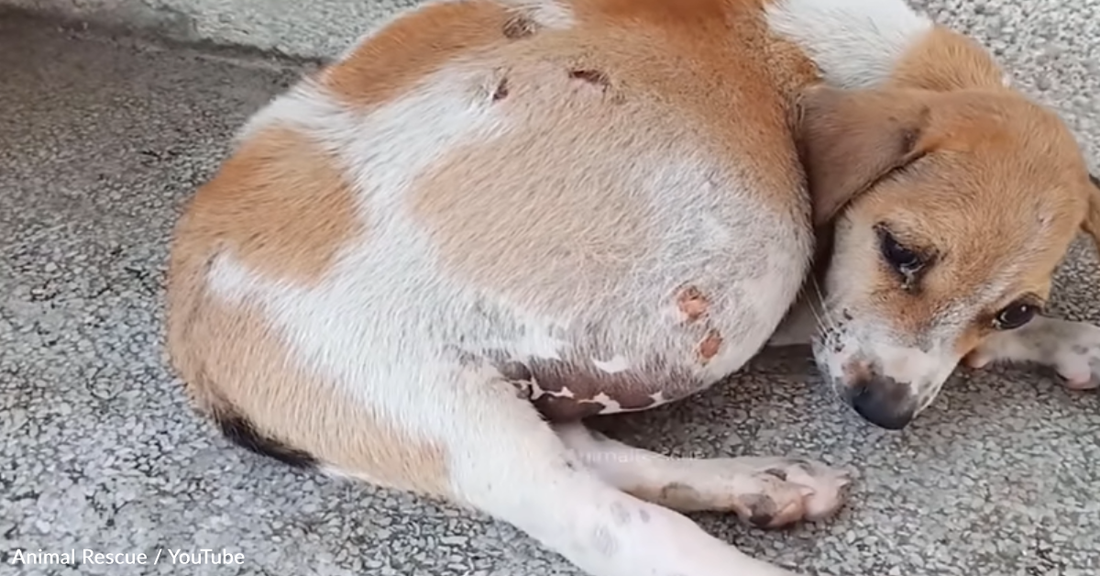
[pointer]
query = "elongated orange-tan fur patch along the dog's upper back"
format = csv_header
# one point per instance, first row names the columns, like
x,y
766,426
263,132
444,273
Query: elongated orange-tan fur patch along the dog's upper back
x,y
421,43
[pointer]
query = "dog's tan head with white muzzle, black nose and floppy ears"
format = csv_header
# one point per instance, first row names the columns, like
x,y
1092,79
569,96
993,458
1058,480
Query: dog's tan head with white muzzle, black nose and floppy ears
x,y
947,214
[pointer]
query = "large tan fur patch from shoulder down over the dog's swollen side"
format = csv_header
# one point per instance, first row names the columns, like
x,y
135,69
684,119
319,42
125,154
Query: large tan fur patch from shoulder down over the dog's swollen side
x,y
534,214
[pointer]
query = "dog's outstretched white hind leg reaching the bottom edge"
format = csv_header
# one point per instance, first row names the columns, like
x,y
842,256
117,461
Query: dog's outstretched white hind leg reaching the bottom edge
x,y
508,462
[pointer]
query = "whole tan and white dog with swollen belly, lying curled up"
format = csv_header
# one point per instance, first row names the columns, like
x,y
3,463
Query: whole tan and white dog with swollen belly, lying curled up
x,y
425,265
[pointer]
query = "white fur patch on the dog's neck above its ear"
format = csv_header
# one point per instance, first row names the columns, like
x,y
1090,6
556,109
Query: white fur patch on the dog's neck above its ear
x,y
856,43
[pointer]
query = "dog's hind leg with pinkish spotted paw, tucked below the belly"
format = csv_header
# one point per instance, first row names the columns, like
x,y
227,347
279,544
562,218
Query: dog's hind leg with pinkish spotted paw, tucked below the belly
x,y
766,492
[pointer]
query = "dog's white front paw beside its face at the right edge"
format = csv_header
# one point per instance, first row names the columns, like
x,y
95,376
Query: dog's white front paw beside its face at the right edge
x,y
1073,349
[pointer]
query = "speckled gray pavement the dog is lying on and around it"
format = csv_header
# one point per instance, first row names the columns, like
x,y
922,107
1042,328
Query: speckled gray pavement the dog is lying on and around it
x,y
102,139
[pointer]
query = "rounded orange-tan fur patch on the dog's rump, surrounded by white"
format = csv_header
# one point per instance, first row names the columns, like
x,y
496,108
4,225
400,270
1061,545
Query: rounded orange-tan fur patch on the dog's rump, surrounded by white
x,y
281,205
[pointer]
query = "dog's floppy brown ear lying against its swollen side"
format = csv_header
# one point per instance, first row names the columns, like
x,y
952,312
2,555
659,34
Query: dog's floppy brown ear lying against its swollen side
x,y
850,140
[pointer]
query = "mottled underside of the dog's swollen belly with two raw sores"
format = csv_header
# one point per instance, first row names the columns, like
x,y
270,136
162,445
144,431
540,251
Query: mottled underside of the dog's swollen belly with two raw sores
x,y
646,361
